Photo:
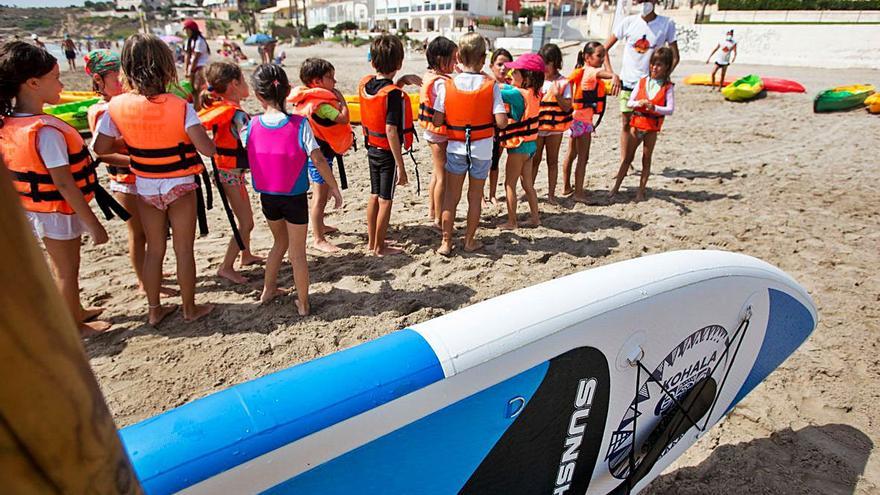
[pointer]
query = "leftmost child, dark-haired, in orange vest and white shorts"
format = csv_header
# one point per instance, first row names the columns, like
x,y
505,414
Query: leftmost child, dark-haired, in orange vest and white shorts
x,y
50,167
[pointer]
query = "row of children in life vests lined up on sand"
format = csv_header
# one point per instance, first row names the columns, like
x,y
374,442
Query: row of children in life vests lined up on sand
x,y
152,143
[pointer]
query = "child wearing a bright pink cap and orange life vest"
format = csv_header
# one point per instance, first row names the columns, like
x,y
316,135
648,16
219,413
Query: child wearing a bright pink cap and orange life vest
x,y
520,136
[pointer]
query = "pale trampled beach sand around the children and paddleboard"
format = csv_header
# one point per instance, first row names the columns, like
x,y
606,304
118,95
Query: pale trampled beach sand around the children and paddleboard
x,y
767,178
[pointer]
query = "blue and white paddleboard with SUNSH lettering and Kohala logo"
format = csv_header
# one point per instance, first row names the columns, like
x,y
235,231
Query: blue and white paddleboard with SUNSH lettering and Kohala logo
x,y
544,390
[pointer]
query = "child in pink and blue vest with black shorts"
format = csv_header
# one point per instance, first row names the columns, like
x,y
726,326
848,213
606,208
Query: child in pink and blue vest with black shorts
x,y
279,146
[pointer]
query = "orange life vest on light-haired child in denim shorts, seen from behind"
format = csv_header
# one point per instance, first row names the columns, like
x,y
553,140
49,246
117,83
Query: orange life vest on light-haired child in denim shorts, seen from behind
x,y
469,113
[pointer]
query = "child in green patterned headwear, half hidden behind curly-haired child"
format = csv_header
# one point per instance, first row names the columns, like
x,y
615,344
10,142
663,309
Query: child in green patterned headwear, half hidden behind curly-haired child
x,y
103,67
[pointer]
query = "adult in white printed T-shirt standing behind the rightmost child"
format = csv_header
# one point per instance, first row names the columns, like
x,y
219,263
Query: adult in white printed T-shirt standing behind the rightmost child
x,y
641,34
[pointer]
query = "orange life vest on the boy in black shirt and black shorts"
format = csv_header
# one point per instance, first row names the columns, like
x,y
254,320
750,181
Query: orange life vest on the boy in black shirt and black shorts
x,y
373,111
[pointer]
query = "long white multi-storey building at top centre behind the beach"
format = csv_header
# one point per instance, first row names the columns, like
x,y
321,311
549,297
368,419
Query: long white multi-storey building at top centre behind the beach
x,y
433,15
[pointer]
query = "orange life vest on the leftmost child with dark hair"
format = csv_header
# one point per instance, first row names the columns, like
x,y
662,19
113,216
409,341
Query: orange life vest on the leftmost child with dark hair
x,y
30,177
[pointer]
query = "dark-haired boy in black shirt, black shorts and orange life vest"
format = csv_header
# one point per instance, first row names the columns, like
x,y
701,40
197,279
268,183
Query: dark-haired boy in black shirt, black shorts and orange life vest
x,y
386,119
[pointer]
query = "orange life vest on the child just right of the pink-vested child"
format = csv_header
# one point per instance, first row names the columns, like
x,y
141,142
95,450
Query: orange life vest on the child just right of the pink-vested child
x,y
329,134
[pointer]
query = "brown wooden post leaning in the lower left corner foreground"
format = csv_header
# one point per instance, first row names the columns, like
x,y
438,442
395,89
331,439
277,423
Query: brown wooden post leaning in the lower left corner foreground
x,y
56,433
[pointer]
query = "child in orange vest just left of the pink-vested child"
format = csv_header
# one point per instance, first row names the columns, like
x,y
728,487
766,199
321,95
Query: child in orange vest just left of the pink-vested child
x,y
222,115
